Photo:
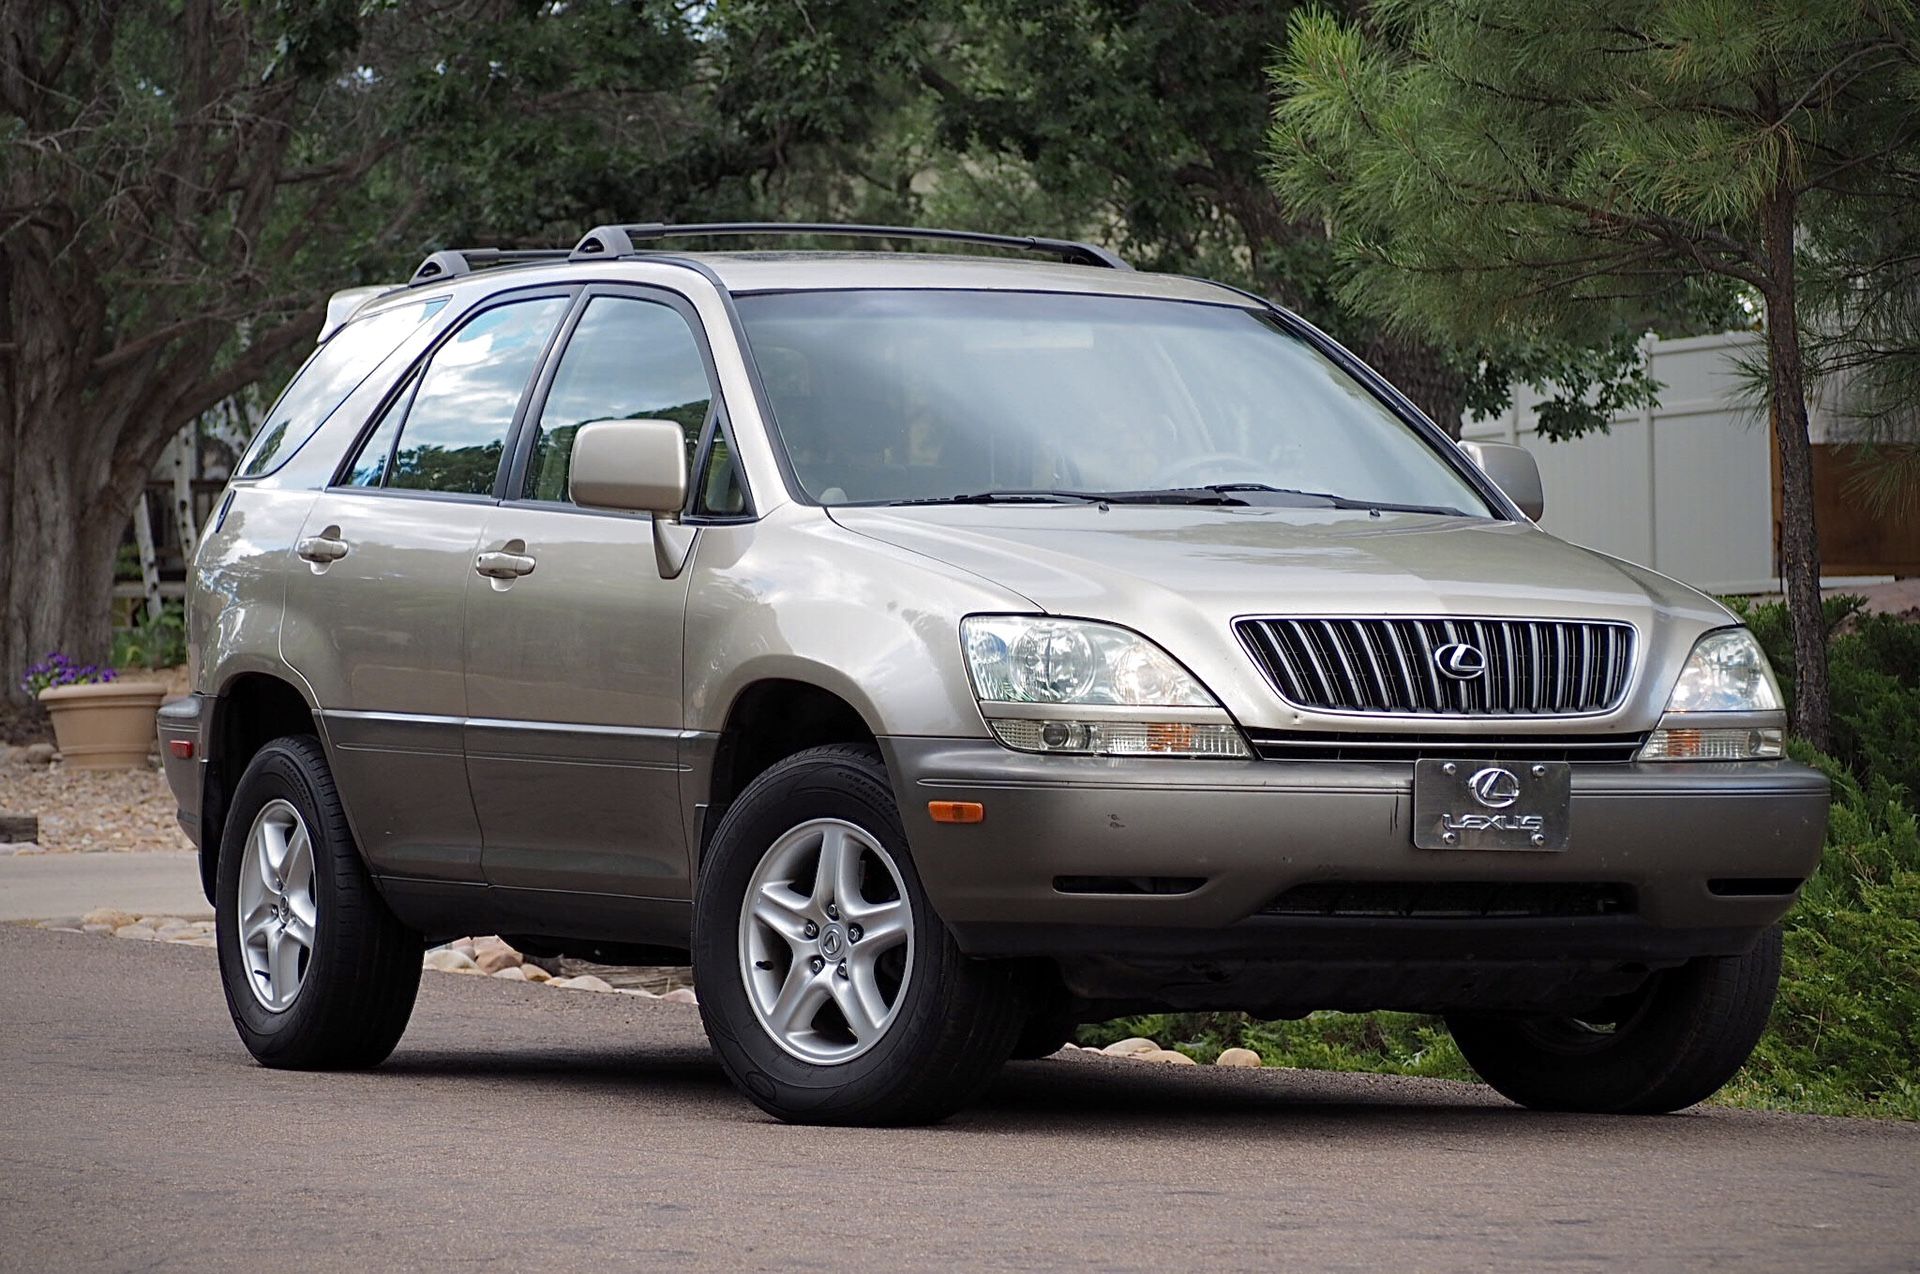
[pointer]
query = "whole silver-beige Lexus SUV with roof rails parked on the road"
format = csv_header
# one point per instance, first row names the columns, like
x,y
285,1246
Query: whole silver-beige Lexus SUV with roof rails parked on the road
x,y
942,651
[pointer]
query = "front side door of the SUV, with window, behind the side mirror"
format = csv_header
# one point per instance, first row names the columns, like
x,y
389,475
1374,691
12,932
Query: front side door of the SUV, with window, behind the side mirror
x,y
575,640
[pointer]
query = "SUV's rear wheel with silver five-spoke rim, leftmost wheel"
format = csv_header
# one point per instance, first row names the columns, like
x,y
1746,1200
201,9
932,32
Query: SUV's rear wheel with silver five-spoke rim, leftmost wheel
x,y
320,974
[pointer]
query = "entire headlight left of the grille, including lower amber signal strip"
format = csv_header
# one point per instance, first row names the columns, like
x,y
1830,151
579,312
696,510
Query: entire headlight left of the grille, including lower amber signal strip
x,y
1038,663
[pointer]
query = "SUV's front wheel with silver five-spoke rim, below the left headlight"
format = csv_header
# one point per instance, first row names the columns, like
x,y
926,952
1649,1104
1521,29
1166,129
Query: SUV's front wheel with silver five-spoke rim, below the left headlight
x,y
828,985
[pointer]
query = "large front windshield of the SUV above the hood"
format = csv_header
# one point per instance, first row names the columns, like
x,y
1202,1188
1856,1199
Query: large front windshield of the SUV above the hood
x,y
900,396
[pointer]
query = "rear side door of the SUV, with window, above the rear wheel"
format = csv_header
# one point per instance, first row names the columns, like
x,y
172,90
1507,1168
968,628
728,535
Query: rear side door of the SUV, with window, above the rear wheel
x,y
375,602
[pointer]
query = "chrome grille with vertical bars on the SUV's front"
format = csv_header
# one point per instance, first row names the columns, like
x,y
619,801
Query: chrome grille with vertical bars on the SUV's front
x,y
1389,667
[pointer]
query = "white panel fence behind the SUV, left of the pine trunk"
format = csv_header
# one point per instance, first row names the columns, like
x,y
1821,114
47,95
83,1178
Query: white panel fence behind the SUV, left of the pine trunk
x,y
1685,488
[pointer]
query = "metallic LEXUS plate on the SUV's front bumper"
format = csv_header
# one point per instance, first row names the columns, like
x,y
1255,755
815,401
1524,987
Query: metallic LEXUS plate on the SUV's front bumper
x,y
1481,805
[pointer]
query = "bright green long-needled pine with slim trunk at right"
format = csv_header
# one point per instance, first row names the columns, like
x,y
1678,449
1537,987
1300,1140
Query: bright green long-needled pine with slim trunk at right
x,y
1525,166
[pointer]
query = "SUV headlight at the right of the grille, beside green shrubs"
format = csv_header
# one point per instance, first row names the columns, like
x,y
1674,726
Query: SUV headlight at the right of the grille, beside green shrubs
x,y
1727,672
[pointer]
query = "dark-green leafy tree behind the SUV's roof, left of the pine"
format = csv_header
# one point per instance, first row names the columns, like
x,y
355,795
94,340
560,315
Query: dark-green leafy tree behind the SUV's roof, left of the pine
x,y
1140,124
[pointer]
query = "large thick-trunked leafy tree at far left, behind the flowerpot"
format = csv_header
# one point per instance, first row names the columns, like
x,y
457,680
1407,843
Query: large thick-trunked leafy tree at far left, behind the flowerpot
x,y
185,181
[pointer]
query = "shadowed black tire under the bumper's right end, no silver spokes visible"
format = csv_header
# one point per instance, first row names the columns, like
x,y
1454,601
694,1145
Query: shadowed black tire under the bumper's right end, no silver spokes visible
x,y
1675,1043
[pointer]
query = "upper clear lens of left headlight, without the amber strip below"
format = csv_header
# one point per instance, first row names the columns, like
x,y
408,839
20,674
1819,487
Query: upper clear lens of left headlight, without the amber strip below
x,y
1040,661
